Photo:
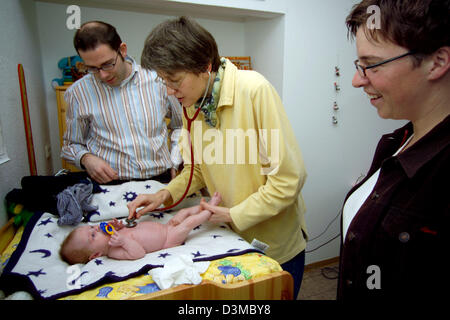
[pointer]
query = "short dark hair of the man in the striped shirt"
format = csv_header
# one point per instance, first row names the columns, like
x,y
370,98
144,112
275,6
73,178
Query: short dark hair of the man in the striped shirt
x,y
93,33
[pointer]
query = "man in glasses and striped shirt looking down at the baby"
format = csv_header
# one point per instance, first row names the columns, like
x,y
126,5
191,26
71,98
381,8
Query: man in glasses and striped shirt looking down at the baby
x,y
116,127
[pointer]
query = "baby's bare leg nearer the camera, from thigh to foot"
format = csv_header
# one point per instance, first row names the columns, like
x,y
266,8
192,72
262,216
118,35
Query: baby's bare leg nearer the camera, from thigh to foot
x,y
178,234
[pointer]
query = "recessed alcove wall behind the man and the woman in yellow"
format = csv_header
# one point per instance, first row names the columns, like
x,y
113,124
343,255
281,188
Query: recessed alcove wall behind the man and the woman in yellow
x,y
132,26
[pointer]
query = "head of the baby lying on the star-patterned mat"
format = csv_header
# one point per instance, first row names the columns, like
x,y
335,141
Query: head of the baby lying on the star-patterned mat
x,y
84,244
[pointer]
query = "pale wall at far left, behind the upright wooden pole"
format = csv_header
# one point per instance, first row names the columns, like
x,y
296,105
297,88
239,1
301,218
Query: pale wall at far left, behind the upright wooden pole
x,y
20,44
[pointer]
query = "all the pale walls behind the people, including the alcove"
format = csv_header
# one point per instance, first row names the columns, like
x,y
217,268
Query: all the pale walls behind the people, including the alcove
x,y
296,44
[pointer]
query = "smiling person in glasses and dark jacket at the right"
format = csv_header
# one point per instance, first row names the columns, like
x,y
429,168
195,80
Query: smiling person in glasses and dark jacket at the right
x,y
396,222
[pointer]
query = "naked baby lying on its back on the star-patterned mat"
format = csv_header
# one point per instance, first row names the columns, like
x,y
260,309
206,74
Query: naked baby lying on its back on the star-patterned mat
x,y
89,242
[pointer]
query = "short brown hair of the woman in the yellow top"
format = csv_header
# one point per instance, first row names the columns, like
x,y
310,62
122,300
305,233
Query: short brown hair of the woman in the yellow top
x,y
180,44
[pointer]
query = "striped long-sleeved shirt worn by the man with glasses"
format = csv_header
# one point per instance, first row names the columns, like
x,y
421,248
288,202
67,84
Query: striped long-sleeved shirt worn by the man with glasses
x,y
124,125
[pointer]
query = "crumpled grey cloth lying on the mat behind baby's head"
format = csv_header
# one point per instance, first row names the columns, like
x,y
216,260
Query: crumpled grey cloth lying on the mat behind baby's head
x,y
72,202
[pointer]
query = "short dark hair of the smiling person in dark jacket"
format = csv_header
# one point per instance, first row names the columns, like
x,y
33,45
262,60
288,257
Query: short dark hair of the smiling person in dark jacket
x,y
421,26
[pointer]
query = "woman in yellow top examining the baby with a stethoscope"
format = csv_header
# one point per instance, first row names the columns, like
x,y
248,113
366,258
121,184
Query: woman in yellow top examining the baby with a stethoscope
x,y
244,146
